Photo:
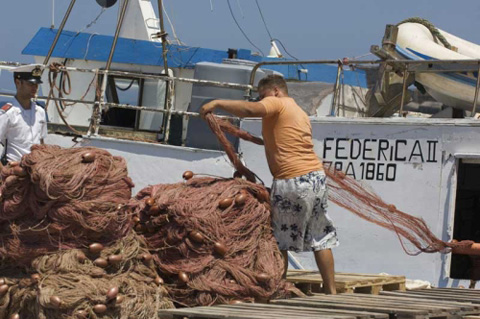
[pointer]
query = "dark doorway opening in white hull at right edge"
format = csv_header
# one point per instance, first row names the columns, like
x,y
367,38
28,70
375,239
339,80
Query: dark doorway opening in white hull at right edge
x,y
467,218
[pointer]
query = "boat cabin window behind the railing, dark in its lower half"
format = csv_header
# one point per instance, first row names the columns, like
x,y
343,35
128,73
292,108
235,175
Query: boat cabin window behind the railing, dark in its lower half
x,y
133,91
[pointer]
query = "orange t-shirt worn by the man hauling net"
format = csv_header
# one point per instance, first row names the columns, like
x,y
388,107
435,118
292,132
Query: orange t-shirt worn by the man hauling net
x,y
287,134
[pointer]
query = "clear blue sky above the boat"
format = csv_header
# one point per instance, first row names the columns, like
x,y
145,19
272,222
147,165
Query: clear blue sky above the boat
x,y
309,29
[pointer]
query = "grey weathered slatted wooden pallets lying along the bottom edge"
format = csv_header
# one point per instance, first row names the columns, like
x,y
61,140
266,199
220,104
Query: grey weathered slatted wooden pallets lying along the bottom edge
x,y
387,305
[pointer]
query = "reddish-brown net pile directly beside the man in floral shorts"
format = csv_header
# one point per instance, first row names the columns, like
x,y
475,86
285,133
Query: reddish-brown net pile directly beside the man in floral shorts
x,y
212,239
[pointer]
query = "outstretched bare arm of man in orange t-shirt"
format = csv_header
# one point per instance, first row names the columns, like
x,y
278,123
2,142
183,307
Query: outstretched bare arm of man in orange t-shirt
x,y
235,107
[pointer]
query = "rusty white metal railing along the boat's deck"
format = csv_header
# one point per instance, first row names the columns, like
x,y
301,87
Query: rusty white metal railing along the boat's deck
x,y
402,67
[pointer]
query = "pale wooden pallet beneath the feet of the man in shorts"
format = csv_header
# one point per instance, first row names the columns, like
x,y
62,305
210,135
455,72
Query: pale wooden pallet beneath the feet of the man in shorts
x,y
310,281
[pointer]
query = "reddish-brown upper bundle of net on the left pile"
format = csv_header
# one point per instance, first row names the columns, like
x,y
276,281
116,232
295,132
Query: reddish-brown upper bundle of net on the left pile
x,y
61,199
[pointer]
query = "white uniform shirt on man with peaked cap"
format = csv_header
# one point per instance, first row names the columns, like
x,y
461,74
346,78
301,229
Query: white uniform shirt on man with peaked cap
x,y
22,128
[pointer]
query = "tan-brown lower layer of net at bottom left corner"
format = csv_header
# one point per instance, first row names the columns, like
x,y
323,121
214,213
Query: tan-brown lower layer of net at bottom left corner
x,y
119,281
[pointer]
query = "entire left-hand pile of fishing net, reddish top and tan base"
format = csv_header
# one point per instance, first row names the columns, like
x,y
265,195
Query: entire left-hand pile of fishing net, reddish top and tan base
x,y
66,245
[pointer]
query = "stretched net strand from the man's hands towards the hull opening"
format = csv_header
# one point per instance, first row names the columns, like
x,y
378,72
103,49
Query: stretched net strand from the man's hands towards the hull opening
x,y
356,197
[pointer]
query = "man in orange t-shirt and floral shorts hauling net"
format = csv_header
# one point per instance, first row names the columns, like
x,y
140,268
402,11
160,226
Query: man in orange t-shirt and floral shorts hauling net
x,y
299,191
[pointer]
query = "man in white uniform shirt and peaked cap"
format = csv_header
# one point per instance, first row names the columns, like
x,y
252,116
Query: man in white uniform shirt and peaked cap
x,y
22,122
